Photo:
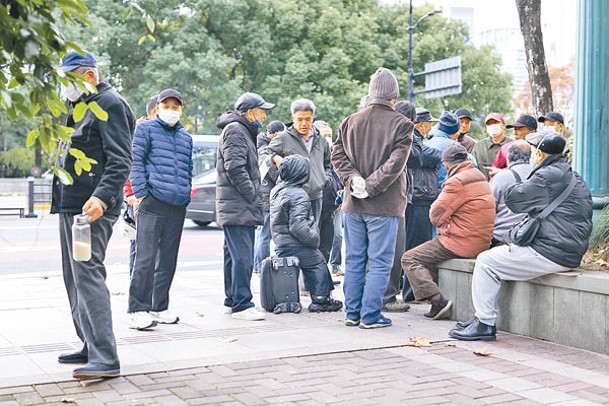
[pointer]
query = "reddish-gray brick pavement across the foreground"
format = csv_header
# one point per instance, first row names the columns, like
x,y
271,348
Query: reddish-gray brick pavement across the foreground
x,y
520,371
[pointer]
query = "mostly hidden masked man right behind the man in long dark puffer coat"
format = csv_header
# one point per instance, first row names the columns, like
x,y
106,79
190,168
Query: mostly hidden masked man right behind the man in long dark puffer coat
x,y
263,234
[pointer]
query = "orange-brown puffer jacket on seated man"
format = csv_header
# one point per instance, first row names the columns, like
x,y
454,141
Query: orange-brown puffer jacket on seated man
x,y
465,211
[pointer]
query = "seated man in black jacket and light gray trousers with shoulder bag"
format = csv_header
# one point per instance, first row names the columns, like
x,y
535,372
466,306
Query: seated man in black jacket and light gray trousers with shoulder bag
x,y
560,243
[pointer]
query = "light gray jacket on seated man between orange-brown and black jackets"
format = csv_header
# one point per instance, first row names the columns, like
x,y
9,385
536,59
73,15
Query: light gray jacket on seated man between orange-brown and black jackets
x,y
504,218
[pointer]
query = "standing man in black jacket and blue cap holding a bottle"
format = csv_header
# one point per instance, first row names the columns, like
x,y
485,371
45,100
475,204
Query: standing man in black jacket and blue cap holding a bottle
x,y
99,194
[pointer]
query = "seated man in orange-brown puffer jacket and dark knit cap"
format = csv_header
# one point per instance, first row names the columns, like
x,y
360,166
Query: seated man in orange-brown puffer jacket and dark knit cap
x,y
464,212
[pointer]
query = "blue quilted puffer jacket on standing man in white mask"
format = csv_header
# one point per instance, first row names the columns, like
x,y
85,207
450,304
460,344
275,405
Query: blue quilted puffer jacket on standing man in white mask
x,y
162,162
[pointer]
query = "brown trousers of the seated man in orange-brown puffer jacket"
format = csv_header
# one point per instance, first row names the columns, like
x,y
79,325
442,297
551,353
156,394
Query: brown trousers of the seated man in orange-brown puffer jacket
x,y
421,267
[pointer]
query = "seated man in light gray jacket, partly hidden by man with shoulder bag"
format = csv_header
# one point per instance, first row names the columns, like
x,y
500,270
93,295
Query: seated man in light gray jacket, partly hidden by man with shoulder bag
x,y
518,155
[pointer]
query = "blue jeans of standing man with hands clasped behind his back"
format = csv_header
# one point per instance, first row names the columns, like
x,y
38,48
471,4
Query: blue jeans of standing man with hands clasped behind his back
x,y
369,240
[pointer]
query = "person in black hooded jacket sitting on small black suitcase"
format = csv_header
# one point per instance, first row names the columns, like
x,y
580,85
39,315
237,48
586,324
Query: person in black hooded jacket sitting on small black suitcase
x,y
296,234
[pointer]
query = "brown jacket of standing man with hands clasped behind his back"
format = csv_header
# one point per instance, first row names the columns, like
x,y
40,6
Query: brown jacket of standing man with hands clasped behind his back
x,y
374,143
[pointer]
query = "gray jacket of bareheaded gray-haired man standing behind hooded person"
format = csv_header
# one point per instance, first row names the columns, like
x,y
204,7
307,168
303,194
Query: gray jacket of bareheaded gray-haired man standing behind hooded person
x,y
290,142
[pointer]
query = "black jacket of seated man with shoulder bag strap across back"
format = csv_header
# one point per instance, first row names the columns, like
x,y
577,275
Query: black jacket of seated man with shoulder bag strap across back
x,y
563,235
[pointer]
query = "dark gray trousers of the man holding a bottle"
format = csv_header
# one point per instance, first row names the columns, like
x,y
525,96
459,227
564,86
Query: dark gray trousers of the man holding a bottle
x,y
87,291
